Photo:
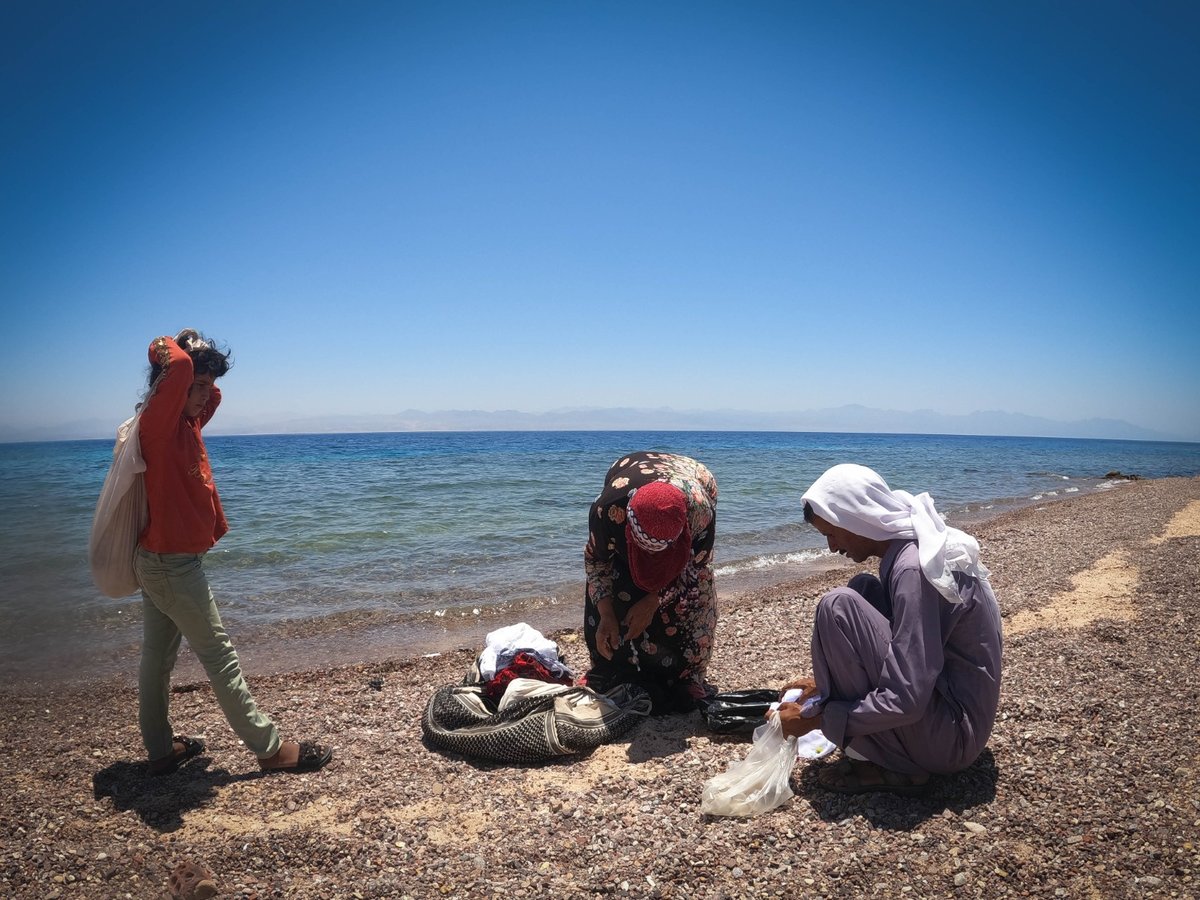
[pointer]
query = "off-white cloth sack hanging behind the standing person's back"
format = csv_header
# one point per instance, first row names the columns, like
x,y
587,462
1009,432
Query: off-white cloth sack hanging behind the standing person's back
x,y
122,514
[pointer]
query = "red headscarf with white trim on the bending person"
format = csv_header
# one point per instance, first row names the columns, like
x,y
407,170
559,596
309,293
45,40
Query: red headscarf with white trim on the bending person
x,y
657,536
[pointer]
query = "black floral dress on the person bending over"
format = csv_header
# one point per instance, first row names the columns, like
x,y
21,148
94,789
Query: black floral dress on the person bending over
x,y
671,657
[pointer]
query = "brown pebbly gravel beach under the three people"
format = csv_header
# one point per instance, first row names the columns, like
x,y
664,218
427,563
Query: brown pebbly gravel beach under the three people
x,y
1089,788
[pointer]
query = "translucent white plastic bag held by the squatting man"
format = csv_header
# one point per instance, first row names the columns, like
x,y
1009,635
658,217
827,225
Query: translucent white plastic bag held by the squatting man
x,y
757,784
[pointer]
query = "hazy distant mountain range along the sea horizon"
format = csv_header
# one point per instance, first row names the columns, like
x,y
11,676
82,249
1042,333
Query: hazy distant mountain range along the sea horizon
x,y
854,418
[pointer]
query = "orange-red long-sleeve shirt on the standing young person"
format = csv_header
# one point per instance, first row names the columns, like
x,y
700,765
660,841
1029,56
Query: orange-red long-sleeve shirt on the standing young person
x,y
185,509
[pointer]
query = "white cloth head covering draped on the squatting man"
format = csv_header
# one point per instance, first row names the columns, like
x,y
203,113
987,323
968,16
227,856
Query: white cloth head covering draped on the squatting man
x,y
859,500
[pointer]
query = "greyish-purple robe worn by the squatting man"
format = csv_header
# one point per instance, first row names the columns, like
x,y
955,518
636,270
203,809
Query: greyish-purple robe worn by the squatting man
x,y
911,680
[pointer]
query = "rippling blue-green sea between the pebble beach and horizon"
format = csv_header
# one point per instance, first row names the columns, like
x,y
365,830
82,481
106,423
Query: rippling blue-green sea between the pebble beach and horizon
x,y
351,545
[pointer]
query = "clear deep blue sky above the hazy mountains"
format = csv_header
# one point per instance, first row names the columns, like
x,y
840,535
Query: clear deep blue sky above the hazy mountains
x,y
532,206
